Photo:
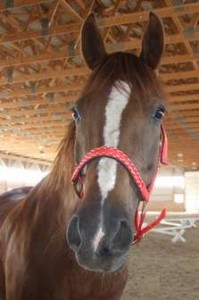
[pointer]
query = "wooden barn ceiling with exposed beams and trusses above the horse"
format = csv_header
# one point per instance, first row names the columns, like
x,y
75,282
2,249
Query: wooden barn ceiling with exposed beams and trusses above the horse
x,y
41,71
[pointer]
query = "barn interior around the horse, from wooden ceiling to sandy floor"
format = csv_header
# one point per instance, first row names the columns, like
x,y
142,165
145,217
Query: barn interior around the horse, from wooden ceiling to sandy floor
x,y
42,73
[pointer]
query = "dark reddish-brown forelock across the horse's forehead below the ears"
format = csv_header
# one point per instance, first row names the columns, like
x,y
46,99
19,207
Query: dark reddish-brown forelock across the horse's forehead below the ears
x,y
128,68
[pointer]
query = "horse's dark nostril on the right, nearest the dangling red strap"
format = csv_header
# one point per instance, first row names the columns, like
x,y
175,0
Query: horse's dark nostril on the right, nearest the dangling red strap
x,y
123,238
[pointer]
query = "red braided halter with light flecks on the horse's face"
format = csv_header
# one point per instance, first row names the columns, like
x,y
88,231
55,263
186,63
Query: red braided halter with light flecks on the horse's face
x,y
122,158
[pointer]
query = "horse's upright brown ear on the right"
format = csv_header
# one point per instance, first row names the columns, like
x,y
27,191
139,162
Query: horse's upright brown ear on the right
x,y
153,42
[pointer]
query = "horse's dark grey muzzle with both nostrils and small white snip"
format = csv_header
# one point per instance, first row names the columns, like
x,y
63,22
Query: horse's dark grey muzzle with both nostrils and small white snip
x,y
104,250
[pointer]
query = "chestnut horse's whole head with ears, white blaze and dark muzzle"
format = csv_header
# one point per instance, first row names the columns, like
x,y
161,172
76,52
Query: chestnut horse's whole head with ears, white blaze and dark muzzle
x,y
121,108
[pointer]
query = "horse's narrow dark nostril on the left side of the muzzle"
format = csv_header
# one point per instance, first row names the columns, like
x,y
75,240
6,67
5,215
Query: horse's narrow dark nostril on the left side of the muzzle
x,y
73,234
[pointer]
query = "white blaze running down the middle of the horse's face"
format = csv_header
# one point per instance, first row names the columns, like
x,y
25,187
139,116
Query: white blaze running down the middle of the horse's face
x,y
107,168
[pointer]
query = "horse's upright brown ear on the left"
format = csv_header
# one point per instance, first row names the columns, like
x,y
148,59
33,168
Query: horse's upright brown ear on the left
x,y
92,45
